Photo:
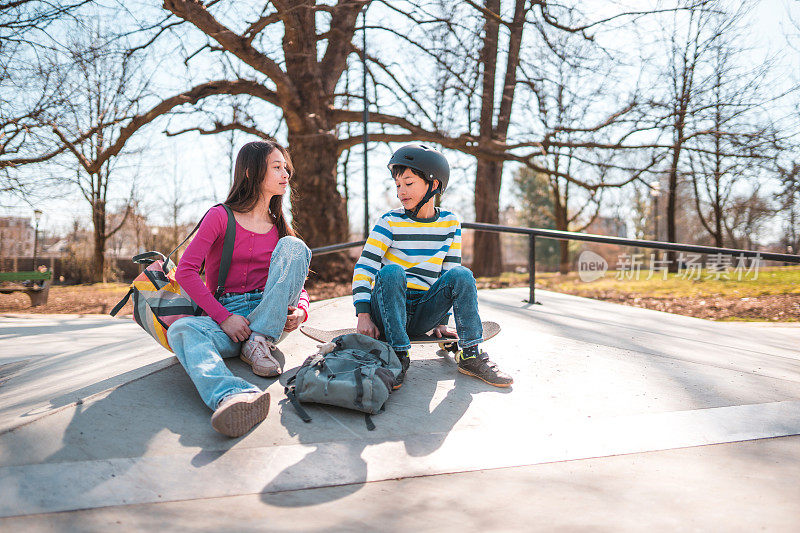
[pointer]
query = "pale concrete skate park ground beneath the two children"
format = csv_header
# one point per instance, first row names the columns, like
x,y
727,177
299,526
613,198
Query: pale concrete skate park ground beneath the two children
x,y
619,419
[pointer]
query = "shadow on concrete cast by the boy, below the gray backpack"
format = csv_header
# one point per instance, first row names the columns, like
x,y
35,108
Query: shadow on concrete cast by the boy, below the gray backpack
x,y
407,418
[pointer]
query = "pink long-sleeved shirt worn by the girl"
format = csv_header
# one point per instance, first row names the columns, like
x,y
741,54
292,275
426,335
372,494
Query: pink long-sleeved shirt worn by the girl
x,y
249,266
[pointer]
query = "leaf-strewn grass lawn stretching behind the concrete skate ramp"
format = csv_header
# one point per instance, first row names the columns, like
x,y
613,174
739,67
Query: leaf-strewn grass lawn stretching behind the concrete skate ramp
x,y
774,296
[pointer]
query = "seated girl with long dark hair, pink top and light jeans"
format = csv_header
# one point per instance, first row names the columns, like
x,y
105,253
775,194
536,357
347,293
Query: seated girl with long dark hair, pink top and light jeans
x,y
266,276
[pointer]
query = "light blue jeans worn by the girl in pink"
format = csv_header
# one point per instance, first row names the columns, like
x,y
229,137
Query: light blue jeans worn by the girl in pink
x,y
200,344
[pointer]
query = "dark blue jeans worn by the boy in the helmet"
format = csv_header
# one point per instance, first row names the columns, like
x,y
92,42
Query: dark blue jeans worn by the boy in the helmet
x,y
399,312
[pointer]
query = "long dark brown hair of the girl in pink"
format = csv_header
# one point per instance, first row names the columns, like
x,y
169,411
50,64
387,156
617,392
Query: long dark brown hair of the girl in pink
x,y
248,176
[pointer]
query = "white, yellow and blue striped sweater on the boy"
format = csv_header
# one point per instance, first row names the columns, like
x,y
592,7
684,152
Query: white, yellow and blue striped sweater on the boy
x,y
423,247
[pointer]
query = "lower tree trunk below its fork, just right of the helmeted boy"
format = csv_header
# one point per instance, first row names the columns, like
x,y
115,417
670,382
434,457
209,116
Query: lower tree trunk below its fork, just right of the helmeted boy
x,y
487,255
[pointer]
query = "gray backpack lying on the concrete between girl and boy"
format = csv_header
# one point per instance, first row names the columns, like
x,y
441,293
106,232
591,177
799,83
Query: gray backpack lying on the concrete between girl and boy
x,y
352,371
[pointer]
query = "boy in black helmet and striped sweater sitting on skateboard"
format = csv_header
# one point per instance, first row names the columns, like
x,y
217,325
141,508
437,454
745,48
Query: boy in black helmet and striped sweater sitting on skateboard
x,y
409,274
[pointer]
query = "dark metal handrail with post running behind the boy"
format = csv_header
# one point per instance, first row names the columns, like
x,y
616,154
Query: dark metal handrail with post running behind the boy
x,y
533,233
